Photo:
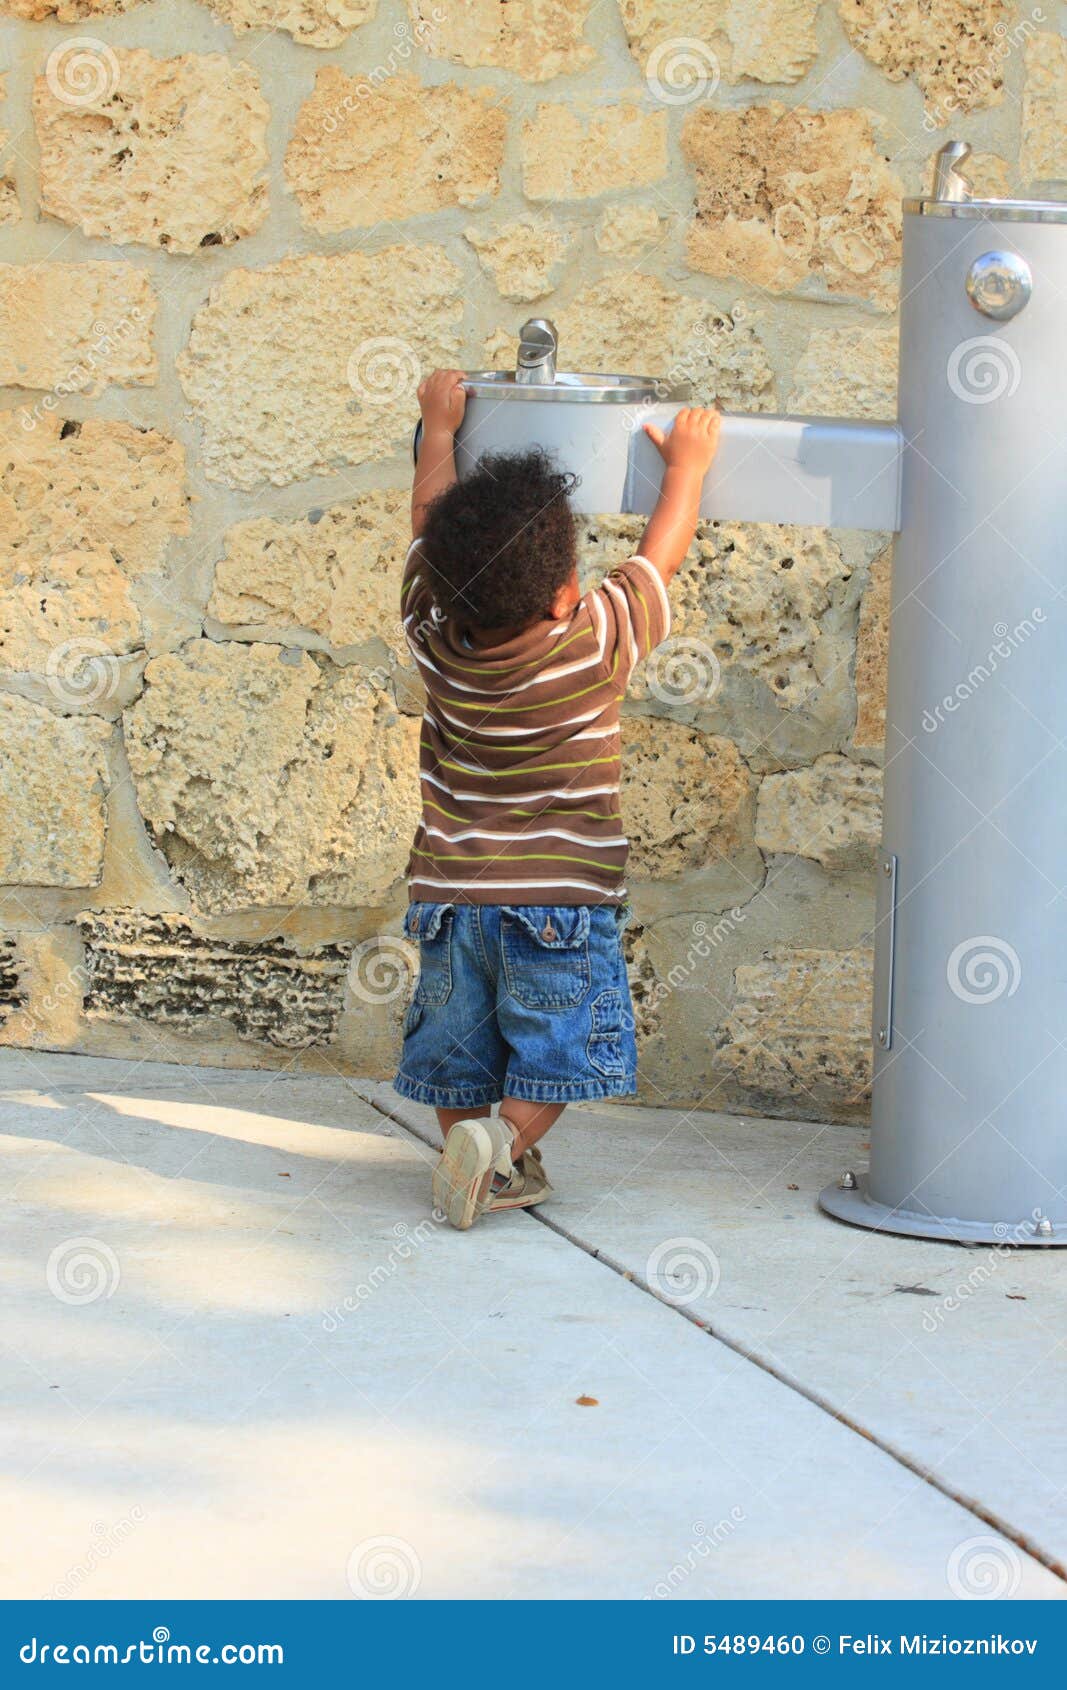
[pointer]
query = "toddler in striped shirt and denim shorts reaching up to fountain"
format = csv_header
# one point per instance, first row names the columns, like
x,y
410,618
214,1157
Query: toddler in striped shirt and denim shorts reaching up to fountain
x,y
517,875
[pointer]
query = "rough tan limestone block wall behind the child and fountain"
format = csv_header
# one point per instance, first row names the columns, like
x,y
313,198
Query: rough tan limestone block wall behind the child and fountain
x,y
233,236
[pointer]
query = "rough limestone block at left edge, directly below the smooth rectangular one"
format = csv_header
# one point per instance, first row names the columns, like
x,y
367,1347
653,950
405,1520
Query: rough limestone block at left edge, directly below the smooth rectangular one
x,y
92,486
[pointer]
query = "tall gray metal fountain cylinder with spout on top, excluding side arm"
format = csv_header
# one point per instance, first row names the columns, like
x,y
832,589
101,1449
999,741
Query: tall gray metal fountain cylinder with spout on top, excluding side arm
x,y
970,1133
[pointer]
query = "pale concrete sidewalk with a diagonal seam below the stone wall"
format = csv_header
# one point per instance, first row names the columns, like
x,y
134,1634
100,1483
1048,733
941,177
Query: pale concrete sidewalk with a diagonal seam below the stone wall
x,y
241,1360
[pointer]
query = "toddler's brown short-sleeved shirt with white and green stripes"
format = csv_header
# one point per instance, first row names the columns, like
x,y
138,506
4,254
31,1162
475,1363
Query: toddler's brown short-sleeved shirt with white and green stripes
x,y
520,748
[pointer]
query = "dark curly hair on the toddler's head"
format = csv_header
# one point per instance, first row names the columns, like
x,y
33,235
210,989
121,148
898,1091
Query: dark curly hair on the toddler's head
x,y
501,543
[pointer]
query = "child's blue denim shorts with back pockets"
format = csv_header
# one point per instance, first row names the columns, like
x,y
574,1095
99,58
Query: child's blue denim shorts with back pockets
x,y
518,1001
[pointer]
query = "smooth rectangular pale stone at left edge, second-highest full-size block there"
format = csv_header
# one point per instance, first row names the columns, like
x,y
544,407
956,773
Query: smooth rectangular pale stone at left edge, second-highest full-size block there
x,y
77,327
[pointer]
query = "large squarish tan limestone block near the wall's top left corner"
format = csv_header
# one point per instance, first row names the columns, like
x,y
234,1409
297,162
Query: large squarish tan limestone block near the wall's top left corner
x,y
168,153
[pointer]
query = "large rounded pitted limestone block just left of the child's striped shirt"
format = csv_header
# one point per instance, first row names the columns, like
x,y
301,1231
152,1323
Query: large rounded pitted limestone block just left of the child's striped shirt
x,y
270,778
